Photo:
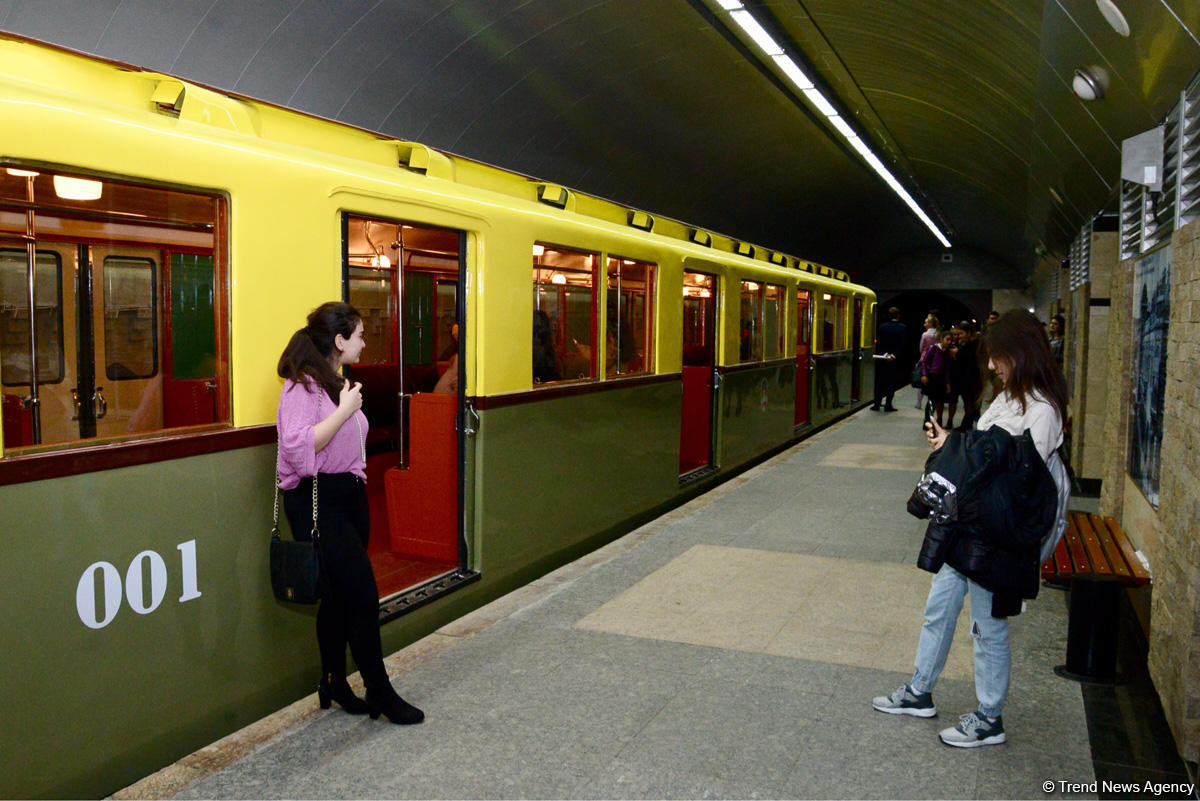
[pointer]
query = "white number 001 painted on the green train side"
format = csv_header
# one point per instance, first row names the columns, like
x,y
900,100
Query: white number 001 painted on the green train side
x,y
135,589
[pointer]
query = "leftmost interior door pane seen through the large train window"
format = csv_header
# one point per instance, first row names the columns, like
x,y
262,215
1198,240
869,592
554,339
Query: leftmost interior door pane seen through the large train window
x,y
15,317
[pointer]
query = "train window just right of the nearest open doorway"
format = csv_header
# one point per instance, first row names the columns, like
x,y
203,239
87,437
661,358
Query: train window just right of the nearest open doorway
x,y
555,330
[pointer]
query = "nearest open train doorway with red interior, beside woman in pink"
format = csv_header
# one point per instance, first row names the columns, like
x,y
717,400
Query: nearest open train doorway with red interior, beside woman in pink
x,y
405,281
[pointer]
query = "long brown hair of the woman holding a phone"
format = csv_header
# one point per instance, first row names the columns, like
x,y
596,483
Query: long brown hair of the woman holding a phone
x,y
1019,340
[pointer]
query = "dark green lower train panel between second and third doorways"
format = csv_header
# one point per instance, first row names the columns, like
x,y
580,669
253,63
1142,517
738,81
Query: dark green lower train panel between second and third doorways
x,y
757,412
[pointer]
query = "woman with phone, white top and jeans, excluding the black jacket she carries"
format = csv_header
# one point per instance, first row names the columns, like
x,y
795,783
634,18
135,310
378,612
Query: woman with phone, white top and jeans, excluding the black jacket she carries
x,y
1035,400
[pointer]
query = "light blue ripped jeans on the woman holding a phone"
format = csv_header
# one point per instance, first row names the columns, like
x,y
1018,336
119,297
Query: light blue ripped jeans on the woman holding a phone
x,y
993,658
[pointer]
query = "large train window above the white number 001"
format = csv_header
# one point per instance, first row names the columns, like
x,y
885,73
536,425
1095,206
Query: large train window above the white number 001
x,y
139,408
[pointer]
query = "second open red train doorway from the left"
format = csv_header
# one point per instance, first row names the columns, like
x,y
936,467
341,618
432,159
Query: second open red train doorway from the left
x,y
699,371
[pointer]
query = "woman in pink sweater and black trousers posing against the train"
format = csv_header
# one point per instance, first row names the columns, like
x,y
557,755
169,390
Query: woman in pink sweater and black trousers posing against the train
x,y
322,433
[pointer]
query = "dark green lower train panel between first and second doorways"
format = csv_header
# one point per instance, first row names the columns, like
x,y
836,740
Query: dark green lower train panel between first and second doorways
x,y
555,473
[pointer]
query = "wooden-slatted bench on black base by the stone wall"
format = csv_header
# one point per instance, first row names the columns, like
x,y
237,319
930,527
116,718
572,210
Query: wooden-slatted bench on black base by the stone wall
x,y
1099,561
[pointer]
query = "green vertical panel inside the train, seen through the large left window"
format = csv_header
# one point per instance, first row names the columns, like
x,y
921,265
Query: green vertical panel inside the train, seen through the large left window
x,y
193,335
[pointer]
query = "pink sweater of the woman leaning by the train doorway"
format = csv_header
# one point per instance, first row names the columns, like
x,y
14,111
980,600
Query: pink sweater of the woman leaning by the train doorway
x,y
302,407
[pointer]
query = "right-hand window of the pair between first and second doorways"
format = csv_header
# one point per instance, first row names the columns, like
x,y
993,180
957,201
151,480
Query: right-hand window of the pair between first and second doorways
x,y
629,329
